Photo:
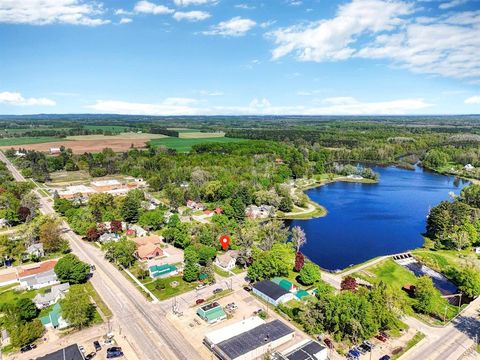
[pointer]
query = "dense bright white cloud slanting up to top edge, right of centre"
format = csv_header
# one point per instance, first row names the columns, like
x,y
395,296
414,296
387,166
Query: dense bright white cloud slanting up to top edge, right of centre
x,y
331,39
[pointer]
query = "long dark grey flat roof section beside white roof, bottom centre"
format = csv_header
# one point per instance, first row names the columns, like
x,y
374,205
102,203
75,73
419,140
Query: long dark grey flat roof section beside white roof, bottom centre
x,y
250,340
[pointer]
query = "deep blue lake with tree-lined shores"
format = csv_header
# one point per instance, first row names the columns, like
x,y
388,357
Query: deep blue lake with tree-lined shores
x,y
369,220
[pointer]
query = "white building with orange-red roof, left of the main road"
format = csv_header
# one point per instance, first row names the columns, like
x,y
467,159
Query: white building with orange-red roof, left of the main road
x,y
38,275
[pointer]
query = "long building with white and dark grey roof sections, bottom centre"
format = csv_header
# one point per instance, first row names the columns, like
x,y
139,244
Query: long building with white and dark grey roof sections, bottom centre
x,y
249,339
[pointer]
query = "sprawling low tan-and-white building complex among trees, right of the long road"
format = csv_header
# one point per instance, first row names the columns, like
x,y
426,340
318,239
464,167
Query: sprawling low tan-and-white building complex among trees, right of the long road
x,y
112,186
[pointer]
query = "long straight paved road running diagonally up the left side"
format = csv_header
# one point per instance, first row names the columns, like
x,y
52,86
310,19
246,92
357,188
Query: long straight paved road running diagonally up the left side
x,y
143,323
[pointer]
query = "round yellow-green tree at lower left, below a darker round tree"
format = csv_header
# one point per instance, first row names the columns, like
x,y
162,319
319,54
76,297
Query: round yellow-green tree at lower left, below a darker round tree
x,y
76,307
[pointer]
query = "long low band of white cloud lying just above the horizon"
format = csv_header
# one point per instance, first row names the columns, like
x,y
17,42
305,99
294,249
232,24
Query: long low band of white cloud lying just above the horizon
x,y
262,106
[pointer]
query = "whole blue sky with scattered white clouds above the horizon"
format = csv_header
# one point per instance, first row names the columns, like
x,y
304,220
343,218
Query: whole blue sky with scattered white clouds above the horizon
x,y
235,57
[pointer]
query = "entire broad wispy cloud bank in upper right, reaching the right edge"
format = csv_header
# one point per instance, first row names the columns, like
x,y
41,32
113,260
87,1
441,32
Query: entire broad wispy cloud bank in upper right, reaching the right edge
x,y
379,29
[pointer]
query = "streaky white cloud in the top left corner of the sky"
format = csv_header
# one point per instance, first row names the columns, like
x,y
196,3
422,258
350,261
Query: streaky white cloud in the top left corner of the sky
x,y
42,12
